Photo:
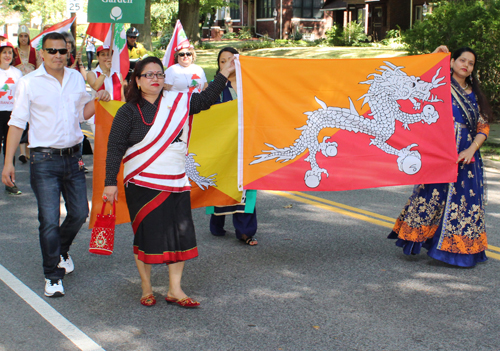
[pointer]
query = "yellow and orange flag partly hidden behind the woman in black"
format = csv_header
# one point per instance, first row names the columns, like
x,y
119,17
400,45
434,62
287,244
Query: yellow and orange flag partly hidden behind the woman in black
x,y
213,149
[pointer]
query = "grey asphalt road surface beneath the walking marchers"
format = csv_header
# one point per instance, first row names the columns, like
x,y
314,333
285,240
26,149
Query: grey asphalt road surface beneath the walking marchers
x,y
323,277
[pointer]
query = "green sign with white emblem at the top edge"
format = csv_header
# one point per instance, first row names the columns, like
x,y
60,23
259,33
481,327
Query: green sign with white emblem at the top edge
x,y
116,11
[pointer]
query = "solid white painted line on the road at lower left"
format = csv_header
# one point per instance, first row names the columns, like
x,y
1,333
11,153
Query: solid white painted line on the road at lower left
x,y
69,330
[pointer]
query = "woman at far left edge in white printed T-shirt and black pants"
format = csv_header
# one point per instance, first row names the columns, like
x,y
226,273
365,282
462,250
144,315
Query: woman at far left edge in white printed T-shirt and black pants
x,y
9,77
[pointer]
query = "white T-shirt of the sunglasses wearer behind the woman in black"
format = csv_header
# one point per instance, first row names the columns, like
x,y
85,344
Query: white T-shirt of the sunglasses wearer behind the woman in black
x,y
184,78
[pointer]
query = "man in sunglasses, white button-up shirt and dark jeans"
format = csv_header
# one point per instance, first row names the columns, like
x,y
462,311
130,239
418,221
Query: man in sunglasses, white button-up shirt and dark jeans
x,y
53,100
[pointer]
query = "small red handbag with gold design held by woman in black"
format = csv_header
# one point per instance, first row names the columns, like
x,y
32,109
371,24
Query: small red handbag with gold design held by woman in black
x,y
103,233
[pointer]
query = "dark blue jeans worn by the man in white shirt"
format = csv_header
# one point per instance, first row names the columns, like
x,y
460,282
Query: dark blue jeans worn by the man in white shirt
x,y
51,176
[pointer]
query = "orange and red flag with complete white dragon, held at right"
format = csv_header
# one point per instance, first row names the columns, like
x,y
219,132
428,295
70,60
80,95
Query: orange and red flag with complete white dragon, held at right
x,y
345,124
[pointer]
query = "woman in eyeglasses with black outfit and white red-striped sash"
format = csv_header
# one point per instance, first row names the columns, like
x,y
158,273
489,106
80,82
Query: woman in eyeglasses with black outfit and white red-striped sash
x,y
150,133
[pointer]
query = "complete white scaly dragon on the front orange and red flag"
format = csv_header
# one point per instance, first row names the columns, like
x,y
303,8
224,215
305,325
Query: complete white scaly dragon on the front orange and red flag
x,y
385,90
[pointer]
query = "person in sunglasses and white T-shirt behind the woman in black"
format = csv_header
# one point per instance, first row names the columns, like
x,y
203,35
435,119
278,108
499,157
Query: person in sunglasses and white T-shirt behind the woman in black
x,y
185,76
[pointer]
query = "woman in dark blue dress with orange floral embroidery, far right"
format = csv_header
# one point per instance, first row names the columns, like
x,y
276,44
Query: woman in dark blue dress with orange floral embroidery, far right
x,y
448,219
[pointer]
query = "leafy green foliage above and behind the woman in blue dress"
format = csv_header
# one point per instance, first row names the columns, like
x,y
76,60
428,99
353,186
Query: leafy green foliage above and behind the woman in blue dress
x,y
464,23
